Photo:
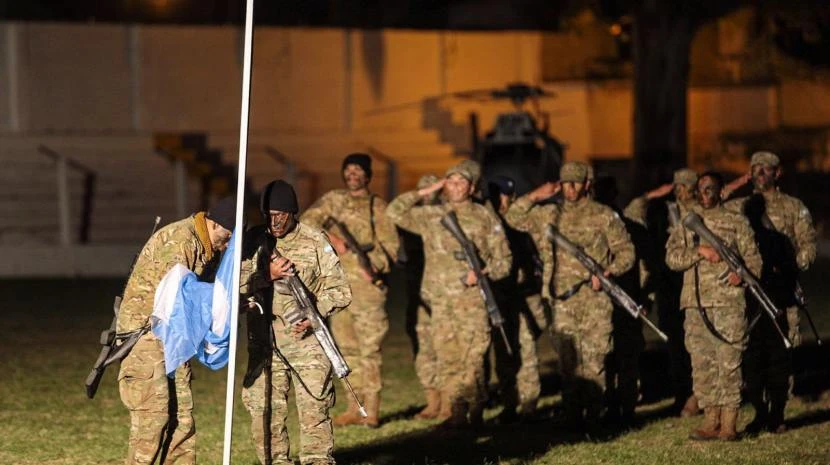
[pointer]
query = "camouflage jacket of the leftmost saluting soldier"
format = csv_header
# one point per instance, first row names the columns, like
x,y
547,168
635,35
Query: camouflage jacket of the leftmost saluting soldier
x,y
444,261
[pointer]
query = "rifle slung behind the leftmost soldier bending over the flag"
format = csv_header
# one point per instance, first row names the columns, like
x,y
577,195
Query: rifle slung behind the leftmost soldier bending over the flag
x,y
115,346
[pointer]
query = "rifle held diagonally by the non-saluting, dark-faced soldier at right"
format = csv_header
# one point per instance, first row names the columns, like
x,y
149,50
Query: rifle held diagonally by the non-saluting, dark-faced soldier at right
x,y
694,222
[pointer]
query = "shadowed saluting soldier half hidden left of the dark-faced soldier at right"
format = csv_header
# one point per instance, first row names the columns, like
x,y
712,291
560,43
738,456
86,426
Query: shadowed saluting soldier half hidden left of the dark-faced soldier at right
x,y
666,284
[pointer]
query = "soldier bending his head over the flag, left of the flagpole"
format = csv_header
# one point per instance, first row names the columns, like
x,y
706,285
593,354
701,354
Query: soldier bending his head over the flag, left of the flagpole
x,y
161,408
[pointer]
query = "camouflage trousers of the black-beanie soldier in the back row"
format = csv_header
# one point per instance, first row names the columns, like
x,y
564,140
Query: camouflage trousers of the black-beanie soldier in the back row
x,y
359,331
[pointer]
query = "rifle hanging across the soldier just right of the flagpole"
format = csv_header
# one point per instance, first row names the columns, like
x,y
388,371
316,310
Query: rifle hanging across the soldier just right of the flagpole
x,y
307,310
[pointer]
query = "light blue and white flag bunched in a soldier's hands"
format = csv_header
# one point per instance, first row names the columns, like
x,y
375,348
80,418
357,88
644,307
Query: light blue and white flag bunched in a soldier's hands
x,y
192,317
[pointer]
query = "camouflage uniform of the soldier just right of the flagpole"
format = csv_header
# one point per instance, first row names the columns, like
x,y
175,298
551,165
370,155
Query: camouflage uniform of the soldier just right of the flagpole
x,y
318,267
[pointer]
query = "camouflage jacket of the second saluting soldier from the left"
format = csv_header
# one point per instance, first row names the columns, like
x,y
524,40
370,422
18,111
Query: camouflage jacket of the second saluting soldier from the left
x,y
594,227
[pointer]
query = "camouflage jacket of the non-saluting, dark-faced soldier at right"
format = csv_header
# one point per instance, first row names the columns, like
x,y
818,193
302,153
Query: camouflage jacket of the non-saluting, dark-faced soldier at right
x,y
700,276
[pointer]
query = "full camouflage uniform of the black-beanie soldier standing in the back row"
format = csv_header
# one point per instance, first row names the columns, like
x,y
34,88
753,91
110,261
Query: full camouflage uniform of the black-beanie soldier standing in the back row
x,y
361,330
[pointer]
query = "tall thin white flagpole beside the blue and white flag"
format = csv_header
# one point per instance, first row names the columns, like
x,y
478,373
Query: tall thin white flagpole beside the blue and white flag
x,y
240,212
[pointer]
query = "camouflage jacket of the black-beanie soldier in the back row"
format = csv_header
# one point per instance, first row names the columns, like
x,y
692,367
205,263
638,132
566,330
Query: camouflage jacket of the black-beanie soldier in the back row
x,y
354,213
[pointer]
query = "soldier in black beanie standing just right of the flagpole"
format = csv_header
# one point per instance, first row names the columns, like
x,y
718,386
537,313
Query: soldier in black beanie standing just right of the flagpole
x,y
297,358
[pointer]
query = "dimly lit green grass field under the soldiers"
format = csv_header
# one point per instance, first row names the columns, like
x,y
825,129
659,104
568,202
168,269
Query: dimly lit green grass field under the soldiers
x,y
49,331
